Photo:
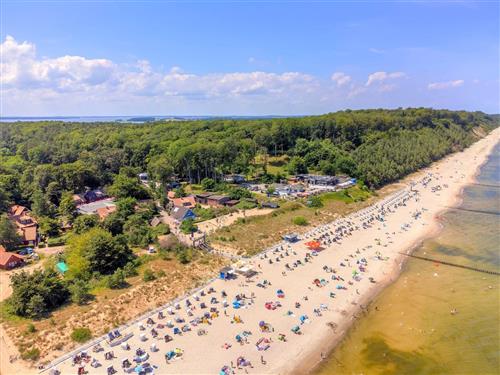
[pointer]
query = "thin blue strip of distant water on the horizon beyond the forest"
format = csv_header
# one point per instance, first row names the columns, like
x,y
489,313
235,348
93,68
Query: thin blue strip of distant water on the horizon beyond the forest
x,y
131,119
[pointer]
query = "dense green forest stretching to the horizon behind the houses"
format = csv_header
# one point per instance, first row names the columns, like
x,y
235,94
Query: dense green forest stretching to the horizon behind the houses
x,y
40,162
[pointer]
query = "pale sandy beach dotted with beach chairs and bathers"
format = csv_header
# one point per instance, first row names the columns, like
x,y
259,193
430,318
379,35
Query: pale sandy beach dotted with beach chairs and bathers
x,y
300,304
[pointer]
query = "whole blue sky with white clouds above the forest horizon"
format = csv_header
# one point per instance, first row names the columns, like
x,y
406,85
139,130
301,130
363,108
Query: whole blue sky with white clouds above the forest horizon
x,y
238,57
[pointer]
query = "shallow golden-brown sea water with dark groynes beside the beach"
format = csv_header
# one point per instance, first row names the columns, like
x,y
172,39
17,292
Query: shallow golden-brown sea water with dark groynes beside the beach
x,y
438,319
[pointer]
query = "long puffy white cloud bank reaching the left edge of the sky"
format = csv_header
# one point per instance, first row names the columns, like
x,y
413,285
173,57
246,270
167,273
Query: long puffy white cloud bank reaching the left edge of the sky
x,y
22,70
